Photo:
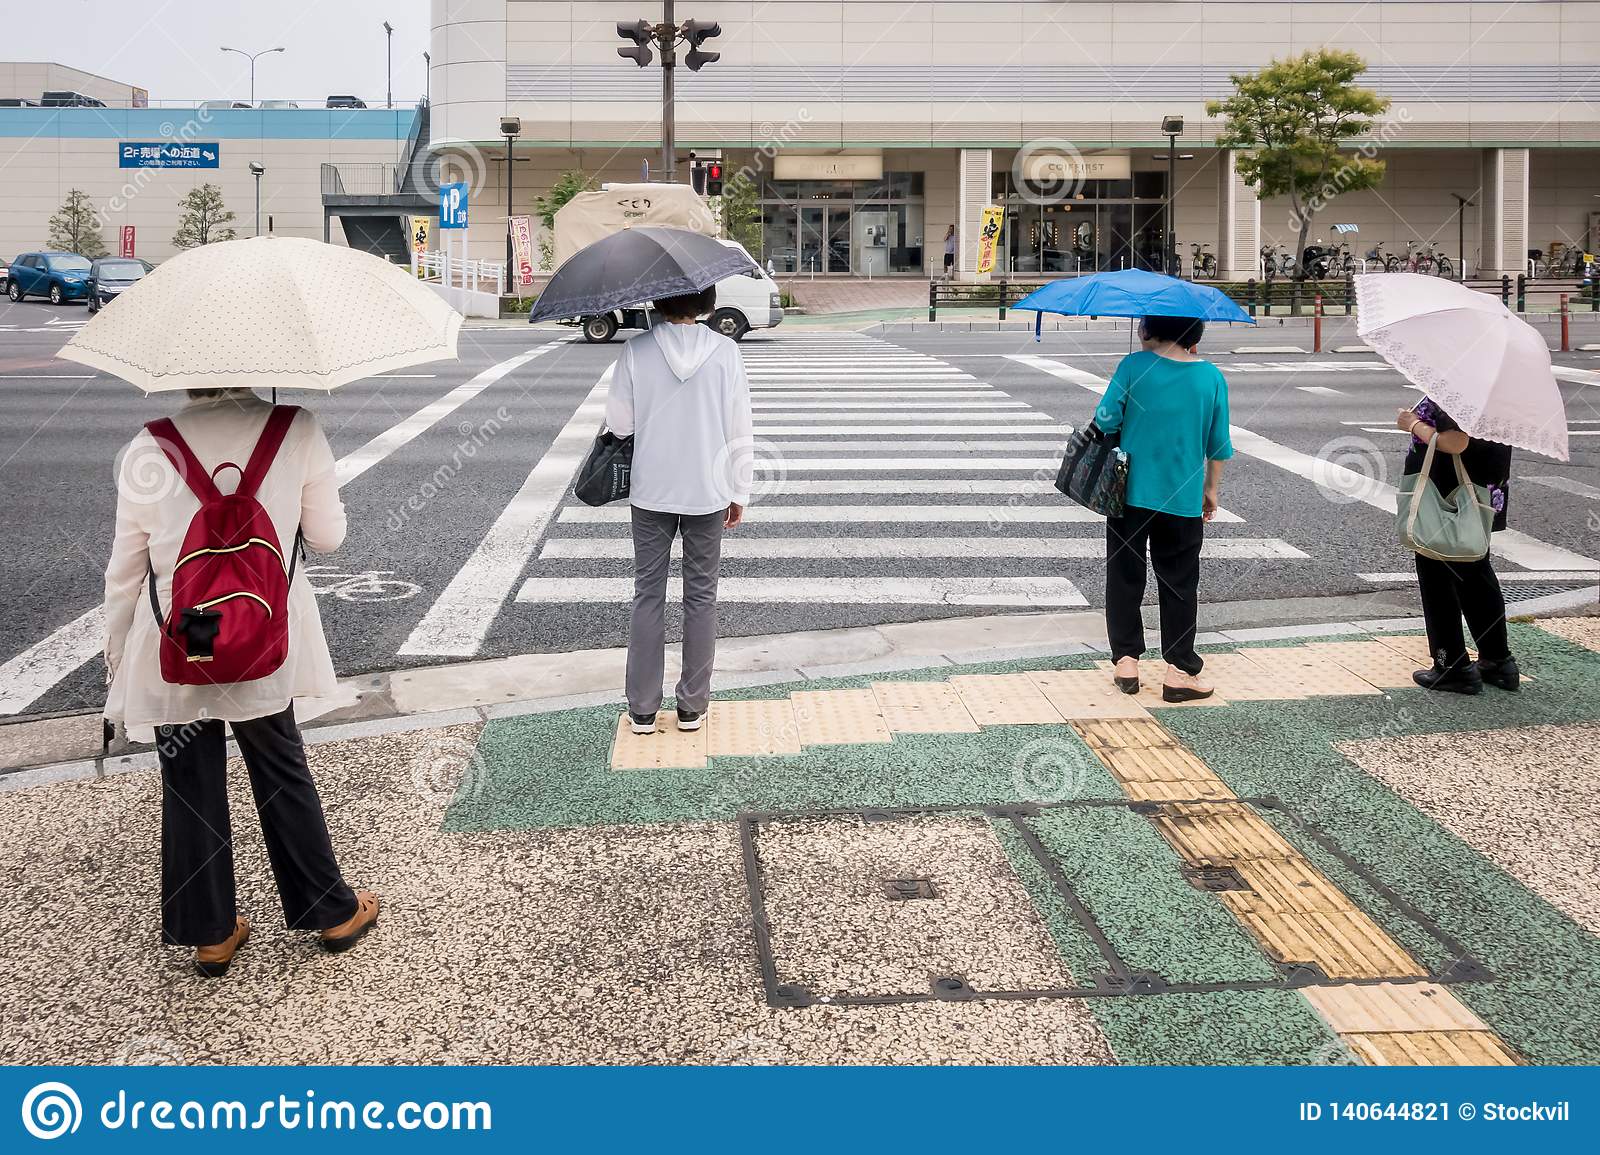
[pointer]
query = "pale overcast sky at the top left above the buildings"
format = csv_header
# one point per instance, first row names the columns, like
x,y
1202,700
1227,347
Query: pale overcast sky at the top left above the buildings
x,y
174,47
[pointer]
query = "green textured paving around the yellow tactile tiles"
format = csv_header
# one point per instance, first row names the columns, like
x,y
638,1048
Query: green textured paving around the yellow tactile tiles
x,y
553,772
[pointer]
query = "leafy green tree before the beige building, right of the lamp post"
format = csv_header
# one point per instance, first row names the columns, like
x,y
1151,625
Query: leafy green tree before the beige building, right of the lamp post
x,y
1294,124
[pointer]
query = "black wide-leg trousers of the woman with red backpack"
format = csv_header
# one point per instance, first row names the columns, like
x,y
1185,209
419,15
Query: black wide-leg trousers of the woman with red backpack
x,y
198,842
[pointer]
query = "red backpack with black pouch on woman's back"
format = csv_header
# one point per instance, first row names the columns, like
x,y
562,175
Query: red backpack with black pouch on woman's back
x,y
231,585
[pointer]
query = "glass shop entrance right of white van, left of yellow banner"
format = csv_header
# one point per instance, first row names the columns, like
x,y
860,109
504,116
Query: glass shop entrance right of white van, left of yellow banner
x,y
863,228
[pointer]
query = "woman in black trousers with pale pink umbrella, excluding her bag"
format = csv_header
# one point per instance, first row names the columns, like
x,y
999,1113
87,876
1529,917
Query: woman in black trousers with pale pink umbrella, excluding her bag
x,y
1489,388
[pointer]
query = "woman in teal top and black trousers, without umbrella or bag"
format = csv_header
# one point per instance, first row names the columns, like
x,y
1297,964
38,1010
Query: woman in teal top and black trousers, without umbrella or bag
x,y
1170,409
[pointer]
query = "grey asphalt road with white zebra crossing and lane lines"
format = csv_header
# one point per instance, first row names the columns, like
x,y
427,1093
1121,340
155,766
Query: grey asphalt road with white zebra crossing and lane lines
x,y
466,543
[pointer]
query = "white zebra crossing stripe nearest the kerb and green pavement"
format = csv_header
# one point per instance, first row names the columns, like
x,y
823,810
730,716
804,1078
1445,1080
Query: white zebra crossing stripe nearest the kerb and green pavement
x,y
826,591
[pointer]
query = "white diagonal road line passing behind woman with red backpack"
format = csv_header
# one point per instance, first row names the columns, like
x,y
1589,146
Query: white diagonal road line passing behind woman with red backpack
x,y
31,674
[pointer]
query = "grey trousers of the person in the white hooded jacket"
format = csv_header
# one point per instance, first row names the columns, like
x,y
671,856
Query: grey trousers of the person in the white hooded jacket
x,y
647,641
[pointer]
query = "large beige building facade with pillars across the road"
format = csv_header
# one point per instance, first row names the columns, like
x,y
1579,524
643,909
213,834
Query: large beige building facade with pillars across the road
x,y
873,129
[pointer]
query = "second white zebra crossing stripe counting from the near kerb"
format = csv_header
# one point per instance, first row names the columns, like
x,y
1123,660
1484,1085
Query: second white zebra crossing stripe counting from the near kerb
x,y
834,550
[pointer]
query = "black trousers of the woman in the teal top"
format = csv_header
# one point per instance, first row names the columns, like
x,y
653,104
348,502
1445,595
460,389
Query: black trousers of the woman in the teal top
x,y
1174,545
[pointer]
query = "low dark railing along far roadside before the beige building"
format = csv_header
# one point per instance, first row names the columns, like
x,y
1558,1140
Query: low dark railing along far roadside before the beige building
x,y
1287,297
